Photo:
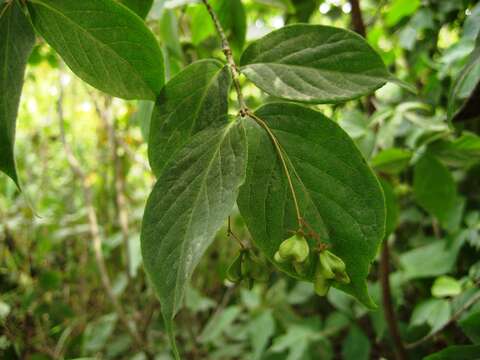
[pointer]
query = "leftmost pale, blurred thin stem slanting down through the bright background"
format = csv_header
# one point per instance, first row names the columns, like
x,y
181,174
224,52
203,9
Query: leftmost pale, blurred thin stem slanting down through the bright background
x,y
94,226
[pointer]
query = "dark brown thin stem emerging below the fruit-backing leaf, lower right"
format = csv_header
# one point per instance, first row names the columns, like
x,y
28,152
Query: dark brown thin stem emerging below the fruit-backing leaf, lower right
x,y
389,311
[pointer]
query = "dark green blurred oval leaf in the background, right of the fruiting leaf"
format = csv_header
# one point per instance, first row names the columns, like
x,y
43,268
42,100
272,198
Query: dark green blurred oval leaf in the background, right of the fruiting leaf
x,y
434,188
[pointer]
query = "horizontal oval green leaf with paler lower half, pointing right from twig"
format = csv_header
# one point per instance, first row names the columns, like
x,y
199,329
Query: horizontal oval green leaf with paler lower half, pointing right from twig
x,y
314,64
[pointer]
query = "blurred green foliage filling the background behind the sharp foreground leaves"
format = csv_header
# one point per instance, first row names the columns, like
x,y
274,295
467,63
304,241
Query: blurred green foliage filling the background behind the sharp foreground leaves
x,y
53,304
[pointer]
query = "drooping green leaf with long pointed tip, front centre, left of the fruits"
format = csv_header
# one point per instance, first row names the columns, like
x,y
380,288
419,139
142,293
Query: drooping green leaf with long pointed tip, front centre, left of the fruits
x,y
188,204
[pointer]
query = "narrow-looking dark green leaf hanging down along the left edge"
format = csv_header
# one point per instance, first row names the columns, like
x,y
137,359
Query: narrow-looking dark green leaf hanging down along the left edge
x,y
17,40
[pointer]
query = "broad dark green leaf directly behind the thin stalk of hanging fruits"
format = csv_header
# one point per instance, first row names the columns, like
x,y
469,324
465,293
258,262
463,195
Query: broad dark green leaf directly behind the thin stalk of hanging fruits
x,y
339,195
